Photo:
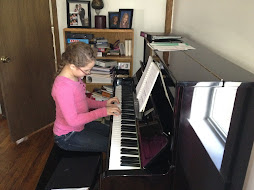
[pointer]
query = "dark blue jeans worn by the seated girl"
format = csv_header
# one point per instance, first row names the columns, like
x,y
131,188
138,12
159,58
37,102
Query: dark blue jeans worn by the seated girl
x,y
93,138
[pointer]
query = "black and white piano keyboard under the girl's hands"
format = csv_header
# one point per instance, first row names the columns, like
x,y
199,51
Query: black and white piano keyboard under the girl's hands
x,y
124,152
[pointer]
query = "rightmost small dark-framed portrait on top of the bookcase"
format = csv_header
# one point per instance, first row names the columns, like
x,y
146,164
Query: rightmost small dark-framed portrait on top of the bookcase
x,y
125,18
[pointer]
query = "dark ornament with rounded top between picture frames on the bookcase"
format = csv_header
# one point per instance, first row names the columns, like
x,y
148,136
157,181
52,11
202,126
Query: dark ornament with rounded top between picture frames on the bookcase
x,y
100,20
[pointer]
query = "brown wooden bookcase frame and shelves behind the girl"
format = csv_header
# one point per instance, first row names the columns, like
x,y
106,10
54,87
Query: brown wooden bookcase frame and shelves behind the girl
x,y
111,35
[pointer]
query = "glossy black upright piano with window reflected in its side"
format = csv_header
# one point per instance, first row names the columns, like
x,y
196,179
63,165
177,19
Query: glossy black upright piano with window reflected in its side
x,y
173,144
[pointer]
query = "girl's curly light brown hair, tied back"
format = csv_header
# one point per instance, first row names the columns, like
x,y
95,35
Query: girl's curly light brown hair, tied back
x,y
78,54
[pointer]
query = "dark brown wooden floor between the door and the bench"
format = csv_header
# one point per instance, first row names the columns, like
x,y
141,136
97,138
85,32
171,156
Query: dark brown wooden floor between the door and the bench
x,y
21,165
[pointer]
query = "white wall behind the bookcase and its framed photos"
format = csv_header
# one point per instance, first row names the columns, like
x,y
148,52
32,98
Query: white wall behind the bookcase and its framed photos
x,y
149,15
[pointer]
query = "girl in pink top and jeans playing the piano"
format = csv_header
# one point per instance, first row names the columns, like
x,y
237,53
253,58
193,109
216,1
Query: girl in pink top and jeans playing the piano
x,y
74,127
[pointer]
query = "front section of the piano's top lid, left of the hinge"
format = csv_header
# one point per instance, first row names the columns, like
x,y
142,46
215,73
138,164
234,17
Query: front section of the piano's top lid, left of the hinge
x,y
183,69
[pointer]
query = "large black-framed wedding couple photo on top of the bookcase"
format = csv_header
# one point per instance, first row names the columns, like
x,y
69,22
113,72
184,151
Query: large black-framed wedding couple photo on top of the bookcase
x,y
78,14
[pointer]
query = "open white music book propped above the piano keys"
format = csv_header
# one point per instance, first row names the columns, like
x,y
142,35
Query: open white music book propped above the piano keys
x,y
146,83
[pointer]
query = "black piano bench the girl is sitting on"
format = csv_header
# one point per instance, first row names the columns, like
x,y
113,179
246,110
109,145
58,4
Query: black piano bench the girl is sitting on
x,y
70,169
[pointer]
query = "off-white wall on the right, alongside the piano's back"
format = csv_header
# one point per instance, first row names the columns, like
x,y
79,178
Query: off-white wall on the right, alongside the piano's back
x,y
226,27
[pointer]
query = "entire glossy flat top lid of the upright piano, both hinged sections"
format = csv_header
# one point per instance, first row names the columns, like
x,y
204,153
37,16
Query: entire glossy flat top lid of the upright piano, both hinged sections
x,y
212,67
